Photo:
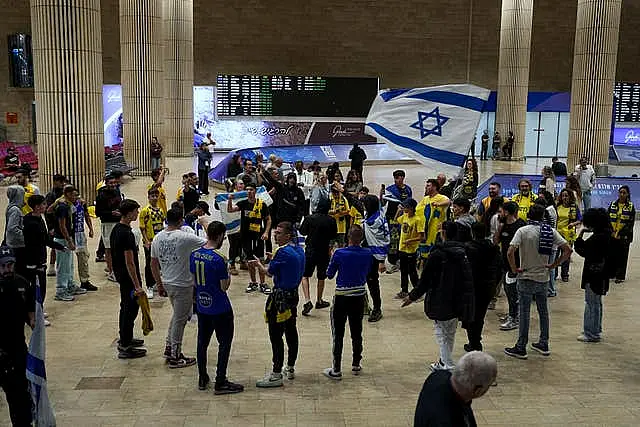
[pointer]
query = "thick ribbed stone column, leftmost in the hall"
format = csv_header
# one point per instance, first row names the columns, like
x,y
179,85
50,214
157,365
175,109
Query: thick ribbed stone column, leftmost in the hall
x,y
67,55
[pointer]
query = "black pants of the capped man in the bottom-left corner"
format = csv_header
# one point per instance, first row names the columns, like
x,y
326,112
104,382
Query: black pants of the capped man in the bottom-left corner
x,y
13,381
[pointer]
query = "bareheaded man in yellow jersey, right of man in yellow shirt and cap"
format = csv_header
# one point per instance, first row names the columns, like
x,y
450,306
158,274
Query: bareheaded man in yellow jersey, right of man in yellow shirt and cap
x,y
434,208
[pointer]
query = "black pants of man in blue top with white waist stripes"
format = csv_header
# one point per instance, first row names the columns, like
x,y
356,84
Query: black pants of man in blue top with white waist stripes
x,y
347,308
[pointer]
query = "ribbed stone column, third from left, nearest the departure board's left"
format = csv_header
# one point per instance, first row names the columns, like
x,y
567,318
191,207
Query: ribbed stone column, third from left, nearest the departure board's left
x,y
178,77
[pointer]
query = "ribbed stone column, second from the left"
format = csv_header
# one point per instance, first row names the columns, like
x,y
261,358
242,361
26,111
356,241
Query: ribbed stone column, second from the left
x,y
142,82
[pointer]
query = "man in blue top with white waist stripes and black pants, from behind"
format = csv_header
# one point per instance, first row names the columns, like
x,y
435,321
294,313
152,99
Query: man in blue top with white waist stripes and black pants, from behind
x,y
352,265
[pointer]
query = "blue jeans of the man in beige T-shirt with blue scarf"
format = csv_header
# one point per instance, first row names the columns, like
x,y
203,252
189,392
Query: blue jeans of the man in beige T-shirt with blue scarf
x,y
527,289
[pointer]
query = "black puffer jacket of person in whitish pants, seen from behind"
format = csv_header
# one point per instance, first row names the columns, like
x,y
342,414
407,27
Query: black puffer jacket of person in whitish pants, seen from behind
x,y
448,282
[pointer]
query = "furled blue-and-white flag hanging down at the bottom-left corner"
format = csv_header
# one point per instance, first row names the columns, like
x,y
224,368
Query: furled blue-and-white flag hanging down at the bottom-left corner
x,y
43,414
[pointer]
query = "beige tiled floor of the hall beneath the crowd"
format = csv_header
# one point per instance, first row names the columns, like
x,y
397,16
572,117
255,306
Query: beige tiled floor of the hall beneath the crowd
x,y
593,384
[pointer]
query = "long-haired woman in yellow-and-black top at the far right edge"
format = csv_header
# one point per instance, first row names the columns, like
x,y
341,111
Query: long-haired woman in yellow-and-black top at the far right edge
x,y
622,215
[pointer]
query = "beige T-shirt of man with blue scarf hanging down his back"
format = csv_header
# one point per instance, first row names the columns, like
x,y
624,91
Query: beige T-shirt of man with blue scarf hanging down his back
x,y
526,240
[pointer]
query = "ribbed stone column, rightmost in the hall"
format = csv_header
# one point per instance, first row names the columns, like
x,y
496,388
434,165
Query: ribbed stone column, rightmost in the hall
x,y
594,71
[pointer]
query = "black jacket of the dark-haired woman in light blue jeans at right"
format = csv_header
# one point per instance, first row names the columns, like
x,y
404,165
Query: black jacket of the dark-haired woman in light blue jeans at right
x,y
597,267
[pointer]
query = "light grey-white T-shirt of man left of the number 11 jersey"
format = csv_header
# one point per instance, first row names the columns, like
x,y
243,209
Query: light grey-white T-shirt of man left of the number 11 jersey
x,y
173,249
